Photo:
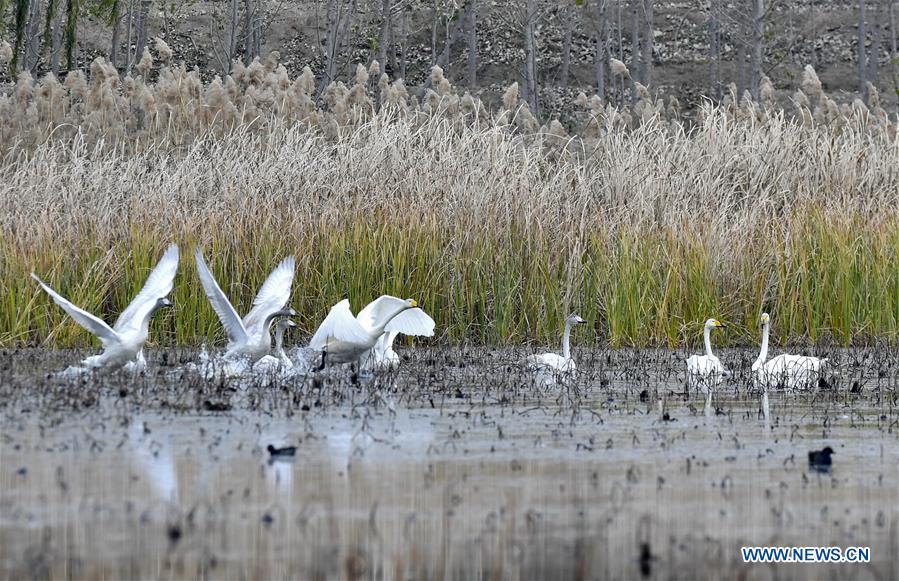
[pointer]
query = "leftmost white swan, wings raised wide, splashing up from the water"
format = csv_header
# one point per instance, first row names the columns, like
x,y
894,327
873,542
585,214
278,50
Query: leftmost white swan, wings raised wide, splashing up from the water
x,y
124,341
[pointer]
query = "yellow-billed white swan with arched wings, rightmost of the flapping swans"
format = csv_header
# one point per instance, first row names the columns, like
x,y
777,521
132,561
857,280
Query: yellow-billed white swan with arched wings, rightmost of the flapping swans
x,y
341,338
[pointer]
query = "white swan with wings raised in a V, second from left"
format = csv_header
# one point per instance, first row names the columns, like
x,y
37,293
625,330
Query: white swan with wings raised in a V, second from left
x,y
251,337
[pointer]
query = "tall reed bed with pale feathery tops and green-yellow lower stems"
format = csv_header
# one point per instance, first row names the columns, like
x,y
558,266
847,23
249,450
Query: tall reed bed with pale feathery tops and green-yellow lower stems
x,y
641,221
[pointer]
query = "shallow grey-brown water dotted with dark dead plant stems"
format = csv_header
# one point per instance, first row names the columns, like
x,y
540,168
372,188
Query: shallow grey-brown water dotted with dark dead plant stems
x,y
457,465
